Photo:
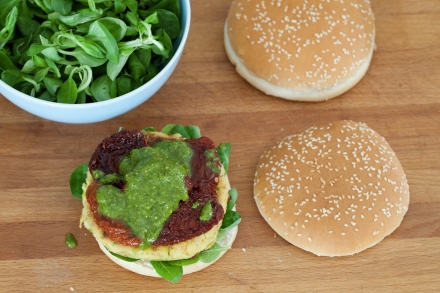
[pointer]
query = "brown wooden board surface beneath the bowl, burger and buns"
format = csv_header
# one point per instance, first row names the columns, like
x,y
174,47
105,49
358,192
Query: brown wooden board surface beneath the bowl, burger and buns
x,y
399,97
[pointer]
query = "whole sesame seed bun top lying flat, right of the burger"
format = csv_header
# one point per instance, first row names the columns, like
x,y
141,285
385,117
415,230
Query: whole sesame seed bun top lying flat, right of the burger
x,y
332,190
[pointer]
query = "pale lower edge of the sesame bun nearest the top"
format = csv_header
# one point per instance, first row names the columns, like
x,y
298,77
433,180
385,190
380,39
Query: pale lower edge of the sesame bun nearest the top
x,y
302,95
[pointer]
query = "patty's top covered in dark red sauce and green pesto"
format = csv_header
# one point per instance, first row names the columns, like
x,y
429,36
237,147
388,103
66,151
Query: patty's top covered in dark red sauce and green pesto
x,y
182,217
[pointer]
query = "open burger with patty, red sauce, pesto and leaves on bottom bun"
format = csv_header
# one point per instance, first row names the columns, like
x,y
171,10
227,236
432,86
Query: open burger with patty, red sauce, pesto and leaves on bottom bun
x,y
159,203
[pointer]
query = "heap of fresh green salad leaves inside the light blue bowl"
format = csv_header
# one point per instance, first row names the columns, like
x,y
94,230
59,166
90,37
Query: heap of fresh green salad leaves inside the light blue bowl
x,y
84,51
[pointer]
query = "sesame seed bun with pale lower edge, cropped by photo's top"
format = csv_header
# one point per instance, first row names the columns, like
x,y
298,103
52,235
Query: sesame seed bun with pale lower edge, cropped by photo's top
x,y
310,50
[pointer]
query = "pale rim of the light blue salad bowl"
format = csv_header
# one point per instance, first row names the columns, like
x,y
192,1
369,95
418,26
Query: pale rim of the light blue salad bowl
x,y
185,18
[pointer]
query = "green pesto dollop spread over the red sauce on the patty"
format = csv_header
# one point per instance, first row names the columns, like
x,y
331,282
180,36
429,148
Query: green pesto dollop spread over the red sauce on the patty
x,y
154,187
